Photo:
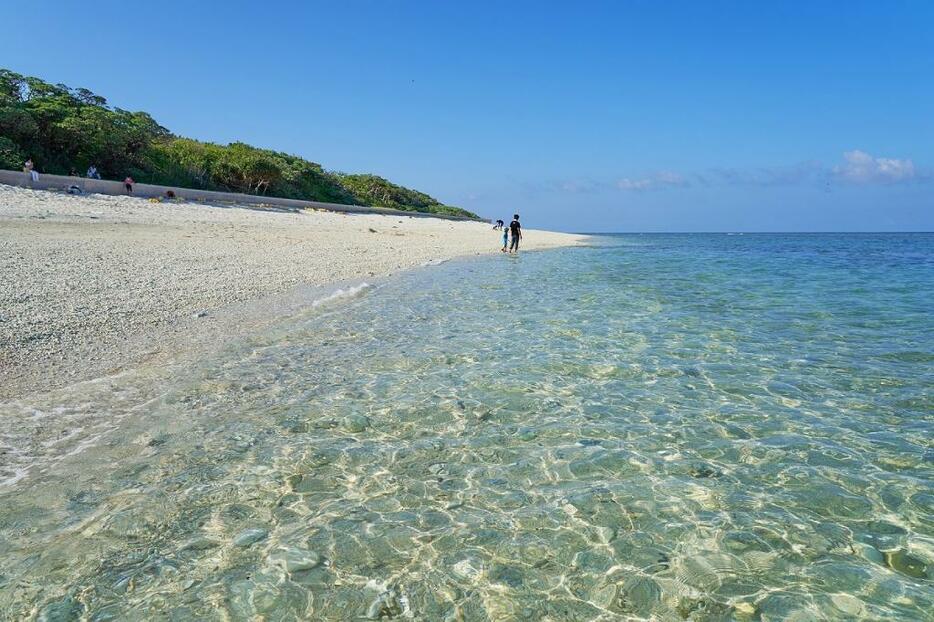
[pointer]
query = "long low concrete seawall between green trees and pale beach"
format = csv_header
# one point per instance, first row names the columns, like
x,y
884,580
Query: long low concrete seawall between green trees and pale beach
x,y
103,186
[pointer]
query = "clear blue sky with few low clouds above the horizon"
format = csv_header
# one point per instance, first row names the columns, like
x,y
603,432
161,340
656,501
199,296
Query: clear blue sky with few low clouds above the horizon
x,y
588,116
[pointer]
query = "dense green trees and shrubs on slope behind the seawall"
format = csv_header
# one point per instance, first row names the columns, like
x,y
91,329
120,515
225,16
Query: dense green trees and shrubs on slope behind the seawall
x,y
63,129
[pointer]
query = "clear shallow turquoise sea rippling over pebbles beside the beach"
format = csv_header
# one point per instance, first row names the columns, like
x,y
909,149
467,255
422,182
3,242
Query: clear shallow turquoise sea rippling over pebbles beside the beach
x,y
684,427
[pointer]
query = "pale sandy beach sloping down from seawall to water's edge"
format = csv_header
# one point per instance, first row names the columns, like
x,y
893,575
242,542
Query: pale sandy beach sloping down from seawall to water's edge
x,y
89,285
